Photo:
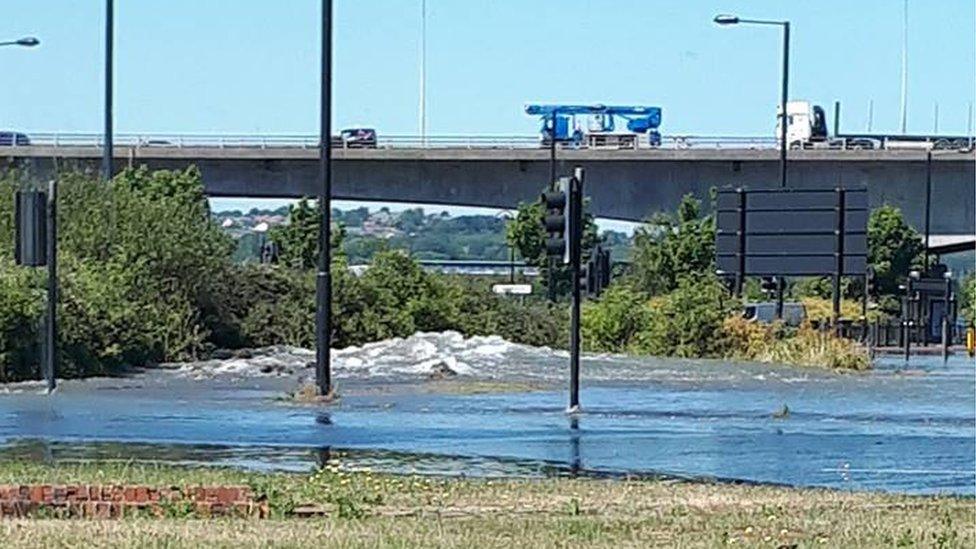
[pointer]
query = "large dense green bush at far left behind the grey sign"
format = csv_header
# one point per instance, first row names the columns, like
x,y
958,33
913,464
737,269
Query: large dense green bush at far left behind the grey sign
x,y
138,257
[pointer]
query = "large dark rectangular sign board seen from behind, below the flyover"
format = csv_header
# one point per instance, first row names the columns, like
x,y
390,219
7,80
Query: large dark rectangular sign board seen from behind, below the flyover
x,y
792,232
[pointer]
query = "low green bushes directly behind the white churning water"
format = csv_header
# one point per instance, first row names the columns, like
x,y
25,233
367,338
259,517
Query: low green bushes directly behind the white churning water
x,y
393,298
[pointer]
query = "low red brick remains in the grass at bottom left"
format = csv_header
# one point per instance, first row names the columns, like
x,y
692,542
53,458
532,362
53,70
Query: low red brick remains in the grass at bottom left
x,y
114,501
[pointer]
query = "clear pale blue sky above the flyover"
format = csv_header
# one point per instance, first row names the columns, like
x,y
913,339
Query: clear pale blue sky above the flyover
x,y
249,66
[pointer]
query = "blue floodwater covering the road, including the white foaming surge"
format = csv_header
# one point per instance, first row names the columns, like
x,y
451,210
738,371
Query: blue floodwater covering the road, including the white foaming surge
x,y
903,428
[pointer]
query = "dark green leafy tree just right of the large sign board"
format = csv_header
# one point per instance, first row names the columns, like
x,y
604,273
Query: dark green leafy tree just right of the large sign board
x,y
894,248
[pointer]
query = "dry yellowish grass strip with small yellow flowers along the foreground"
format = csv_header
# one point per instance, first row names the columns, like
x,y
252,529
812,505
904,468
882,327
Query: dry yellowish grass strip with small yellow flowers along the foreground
x,y
368,509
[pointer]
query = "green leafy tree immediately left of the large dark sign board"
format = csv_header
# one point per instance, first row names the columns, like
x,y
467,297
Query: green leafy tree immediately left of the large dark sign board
x,y
671,246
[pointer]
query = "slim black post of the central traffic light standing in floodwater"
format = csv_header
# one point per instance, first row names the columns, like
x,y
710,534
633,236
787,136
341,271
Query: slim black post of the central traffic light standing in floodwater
x,y
575,207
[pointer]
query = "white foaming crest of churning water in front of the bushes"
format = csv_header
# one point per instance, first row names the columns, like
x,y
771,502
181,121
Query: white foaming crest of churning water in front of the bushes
x,y
424,355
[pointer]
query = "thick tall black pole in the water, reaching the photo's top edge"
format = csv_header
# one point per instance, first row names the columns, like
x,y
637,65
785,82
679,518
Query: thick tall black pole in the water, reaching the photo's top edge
x,y
323,279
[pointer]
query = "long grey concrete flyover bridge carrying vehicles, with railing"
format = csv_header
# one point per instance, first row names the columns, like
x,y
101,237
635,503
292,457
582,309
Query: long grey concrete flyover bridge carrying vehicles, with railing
x,y
501,172
